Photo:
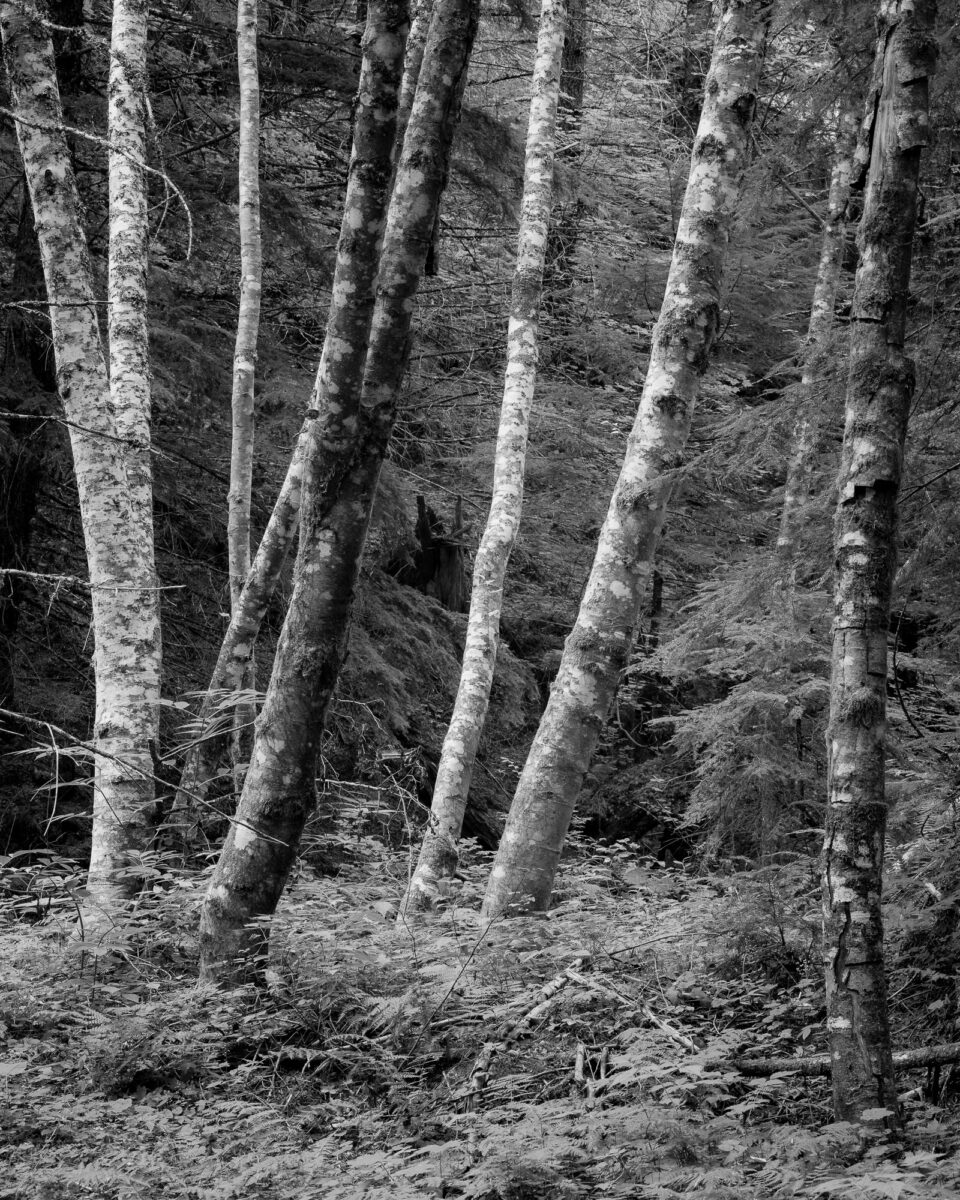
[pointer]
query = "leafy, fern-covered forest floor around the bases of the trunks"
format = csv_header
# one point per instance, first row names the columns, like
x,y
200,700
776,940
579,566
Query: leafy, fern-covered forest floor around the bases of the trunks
x,y
579,1053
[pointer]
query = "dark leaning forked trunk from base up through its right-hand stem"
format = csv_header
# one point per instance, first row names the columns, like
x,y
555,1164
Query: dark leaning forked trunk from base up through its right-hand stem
x,y
340,482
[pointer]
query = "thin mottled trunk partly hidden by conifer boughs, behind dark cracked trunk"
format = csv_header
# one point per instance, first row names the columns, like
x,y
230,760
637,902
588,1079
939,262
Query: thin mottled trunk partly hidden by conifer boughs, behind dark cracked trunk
x,y
817,345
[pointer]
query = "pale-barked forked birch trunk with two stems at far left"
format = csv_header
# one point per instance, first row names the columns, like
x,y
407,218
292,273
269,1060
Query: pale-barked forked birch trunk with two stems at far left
x,y
110,452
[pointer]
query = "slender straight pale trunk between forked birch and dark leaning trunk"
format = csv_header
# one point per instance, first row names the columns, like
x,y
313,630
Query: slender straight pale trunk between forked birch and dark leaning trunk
x,y
248,326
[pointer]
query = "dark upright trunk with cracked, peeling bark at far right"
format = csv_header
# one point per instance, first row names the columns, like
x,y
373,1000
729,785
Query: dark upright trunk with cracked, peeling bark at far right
x,y
880,388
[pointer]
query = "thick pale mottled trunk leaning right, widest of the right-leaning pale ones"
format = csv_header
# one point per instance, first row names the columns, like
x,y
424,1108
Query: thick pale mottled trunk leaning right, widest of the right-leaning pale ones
x,y
602,640
